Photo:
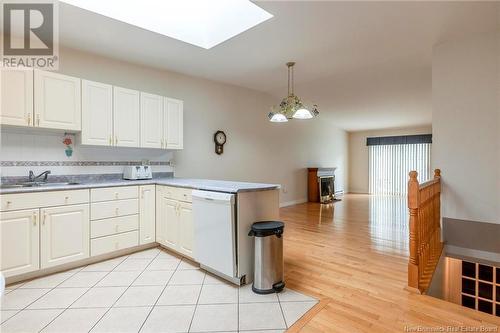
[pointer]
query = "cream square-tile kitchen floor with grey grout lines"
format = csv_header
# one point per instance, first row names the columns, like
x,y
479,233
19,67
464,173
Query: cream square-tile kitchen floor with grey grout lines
x,y
148,291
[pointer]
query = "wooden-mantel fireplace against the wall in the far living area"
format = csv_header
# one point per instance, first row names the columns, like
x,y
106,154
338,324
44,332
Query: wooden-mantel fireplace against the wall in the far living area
x,y
321,184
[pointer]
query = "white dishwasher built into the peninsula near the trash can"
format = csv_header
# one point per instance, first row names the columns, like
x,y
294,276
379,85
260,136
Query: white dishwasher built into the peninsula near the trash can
x,y
215,232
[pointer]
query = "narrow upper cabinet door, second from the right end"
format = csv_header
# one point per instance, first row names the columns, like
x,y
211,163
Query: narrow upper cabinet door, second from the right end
x,y
151,121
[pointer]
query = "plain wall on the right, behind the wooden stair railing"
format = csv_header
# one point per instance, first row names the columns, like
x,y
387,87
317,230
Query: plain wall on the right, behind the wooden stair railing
x,y
466,126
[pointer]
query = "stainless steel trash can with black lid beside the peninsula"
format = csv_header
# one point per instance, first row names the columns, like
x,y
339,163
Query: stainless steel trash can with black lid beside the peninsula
x,y
268,261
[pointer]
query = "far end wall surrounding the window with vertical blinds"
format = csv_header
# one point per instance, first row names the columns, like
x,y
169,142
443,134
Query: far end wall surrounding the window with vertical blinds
x,y
358,153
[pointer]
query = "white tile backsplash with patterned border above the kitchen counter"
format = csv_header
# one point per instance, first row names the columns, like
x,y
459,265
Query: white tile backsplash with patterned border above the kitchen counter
x,y
22,150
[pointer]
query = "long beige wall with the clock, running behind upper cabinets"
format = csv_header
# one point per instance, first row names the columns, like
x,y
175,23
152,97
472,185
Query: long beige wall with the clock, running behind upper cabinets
x,y
257,150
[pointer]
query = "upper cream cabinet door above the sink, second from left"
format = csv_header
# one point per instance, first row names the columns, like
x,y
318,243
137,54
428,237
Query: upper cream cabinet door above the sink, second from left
x,y
57,101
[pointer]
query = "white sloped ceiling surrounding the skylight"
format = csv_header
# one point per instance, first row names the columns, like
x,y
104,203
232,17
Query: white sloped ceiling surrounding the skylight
x,y
368,63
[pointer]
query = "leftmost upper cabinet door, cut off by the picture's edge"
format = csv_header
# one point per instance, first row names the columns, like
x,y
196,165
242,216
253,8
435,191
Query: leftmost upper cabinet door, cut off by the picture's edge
x,y
16,97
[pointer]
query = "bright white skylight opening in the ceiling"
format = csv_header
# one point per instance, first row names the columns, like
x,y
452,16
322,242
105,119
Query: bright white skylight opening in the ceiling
x,y
199,22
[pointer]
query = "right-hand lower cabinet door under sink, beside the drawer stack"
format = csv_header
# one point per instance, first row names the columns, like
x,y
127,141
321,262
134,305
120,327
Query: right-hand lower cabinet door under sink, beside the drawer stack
x,y
65,235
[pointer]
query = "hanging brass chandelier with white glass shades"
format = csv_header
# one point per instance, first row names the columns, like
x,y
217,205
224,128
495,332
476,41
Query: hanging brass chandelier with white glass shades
x,y
291,107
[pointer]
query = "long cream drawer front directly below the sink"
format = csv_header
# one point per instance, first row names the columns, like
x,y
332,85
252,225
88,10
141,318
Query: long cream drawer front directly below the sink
x,y
42,199
